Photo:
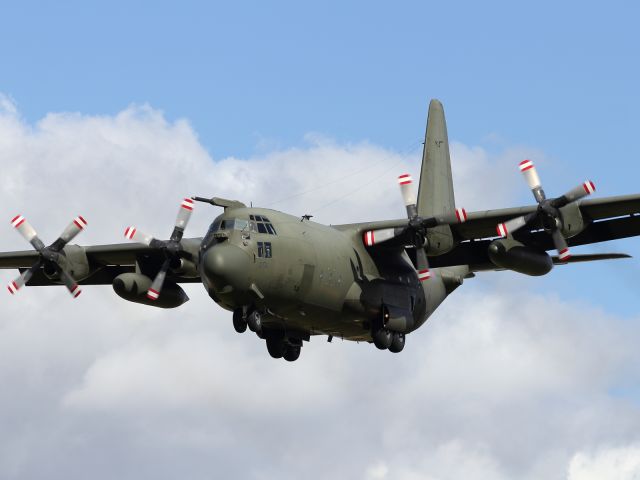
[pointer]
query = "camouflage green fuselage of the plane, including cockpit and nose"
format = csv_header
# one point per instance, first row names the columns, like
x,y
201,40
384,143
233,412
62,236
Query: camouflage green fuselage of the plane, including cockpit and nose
x,y
311,278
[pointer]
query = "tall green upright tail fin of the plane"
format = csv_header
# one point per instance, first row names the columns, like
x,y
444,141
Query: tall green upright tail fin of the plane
x,y
435,193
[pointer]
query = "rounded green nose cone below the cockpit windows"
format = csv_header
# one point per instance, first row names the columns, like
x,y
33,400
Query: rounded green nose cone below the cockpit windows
x,y
226,265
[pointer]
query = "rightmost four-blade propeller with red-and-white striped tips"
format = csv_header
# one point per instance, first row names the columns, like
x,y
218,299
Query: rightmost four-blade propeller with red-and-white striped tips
x,y
548,211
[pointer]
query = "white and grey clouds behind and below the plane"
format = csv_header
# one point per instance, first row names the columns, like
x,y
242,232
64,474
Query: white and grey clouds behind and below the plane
x,y
499,384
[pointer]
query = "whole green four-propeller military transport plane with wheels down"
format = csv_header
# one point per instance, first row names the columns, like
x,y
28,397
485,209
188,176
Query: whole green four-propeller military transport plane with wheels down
x,y
287,278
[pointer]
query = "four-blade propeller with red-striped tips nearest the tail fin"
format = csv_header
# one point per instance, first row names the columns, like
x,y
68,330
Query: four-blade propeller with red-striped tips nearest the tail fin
x,y
417,226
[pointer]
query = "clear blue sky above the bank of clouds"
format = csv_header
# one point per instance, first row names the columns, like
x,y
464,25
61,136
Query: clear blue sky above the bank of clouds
x,y
554,75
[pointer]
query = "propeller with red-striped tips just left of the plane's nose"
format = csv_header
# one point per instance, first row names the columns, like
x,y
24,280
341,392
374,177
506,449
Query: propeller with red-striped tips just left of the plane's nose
x,y
170,248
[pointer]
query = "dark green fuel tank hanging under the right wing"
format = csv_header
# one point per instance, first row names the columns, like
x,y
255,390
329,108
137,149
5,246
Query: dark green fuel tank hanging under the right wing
x,y
512,255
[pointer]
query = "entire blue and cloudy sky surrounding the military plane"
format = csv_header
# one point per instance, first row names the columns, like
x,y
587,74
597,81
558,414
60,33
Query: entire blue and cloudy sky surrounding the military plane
x,y
117,110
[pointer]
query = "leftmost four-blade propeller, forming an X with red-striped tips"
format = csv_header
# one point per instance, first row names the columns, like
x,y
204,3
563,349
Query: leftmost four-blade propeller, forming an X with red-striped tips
x,y
50,256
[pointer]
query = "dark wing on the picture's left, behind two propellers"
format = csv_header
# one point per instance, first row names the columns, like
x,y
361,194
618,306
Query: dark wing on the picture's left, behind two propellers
x,y
105,262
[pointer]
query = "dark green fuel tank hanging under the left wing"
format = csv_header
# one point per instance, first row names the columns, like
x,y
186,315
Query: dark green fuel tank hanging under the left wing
x,y
133,287
